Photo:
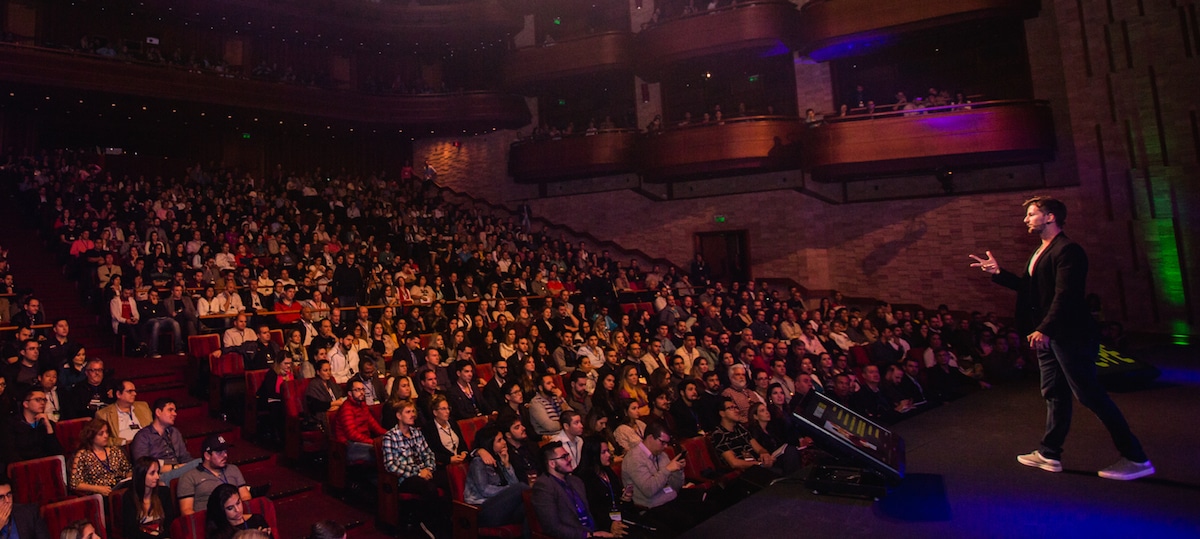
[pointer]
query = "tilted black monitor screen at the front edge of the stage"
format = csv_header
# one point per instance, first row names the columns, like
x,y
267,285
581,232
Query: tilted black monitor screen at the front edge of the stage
x,y
845,434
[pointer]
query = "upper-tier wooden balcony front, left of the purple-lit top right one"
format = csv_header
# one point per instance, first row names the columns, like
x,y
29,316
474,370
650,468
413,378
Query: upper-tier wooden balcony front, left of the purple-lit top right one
x,y
761,28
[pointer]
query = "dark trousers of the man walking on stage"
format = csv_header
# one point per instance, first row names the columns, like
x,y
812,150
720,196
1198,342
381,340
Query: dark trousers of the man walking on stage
x,y
1069,368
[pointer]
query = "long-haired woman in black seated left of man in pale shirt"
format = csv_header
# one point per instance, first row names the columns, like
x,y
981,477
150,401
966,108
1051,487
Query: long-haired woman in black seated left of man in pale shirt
x,y
608,496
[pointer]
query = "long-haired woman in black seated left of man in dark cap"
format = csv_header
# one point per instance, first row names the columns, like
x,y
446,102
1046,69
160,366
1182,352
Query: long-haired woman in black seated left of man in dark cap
x,y
148,510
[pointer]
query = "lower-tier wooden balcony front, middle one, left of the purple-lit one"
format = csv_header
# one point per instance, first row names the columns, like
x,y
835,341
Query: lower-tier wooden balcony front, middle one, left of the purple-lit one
x,y
737,146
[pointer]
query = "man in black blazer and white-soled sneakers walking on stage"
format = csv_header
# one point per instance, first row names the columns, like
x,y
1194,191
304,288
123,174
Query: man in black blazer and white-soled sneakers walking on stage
x,y
1054,315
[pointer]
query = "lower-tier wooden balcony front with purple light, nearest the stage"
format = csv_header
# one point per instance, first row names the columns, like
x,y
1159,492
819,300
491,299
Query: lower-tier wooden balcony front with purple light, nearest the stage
x,y
910,142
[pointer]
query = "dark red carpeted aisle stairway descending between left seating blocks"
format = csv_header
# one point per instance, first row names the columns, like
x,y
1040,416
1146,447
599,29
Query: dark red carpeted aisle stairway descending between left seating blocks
x,y
298,494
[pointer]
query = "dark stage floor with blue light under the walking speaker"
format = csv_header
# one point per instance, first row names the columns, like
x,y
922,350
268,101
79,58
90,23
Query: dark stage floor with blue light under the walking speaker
x,y
964,482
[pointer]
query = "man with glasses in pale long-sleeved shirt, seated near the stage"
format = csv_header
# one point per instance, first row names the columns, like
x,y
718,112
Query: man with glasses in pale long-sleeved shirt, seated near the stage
x,y
658,482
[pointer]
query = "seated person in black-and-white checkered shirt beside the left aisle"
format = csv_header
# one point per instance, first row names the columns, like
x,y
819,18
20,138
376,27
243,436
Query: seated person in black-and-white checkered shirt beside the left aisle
x,y
407,456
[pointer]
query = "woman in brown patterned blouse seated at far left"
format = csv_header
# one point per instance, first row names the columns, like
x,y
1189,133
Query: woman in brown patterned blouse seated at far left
x,y
98,466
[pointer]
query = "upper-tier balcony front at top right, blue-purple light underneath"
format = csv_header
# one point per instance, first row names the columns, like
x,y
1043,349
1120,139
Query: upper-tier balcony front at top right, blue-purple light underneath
x,y
833,29
